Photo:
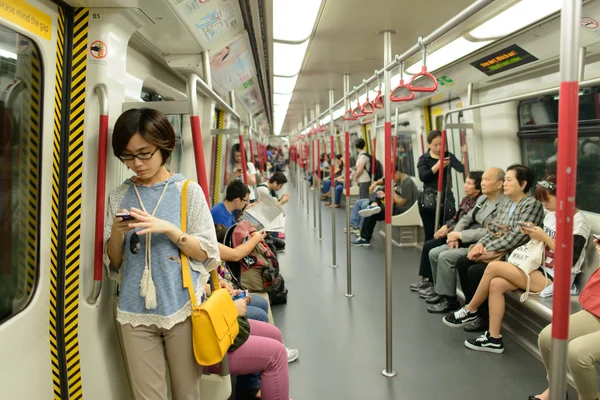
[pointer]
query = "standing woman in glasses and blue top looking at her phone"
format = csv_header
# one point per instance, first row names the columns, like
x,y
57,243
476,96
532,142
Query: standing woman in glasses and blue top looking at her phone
x,y
153,307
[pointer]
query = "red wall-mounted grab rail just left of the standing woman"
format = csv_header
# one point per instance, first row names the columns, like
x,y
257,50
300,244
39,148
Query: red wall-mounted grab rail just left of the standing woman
x,y
100,193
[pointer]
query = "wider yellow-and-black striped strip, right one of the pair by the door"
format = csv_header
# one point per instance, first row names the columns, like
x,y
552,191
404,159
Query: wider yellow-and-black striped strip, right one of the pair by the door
x,y
74,189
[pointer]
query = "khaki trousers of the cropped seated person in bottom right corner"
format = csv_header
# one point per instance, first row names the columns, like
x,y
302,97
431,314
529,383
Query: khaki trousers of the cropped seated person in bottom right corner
x,y
584,351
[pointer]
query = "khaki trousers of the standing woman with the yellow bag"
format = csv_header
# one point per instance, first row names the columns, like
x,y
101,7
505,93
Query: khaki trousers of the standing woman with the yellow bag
x,y
150,349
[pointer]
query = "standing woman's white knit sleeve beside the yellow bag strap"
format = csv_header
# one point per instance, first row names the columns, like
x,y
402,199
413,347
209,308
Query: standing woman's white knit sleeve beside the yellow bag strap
x,y
201,226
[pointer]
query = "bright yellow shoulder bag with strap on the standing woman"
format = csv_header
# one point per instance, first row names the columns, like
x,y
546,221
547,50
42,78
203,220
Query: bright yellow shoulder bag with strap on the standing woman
x,y
214,322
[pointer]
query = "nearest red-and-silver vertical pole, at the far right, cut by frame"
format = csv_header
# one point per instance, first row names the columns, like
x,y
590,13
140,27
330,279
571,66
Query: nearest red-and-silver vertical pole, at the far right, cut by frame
x,y
568,121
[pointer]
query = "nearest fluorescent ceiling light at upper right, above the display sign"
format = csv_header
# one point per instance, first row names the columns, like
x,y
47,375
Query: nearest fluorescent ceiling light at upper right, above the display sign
x,y
516,17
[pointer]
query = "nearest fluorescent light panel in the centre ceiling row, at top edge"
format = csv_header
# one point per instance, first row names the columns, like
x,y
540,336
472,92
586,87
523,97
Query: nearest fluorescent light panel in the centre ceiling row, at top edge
x,y
294,20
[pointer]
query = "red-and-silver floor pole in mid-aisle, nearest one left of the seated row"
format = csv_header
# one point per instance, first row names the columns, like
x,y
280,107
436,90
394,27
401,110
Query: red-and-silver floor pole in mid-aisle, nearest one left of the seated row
x,y
387,57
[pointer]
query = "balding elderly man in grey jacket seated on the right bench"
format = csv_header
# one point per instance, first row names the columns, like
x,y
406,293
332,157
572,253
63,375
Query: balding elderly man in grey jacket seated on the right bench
x,y
468,230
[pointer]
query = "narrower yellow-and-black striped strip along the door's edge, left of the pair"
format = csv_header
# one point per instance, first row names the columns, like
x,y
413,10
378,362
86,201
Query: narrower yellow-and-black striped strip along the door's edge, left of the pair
x,y
54,356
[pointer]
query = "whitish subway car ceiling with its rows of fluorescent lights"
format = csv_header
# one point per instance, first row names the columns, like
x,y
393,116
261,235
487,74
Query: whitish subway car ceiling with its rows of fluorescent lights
x,y
282,68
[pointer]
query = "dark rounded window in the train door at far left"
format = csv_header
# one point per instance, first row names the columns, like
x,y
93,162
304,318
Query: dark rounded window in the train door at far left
x,y
20,160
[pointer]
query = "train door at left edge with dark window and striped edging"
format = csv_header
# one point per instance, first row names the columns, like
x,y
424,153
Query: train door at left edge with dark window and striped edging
x,y
38,331
